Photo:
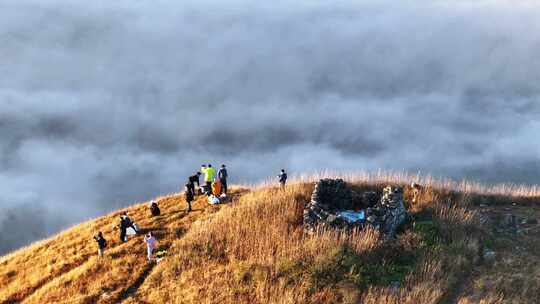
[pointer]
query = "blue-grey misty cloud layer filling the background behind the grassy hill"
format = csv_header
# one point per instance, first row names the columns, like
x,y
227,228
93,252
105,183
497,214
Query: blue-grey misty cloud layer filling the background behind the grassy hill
x,y
108,103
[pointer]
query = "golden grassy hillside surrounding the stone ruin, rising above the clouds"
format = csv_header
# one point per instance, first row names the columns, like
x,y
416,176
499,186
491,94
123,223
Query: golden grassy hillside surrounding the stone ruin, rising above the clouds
x,y
455,248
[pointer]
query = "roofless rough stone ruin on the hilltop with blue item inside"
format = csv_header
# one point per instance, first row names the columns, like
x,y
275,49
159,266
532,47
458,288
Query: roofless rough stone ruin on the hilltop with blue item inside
x,y
335,205
